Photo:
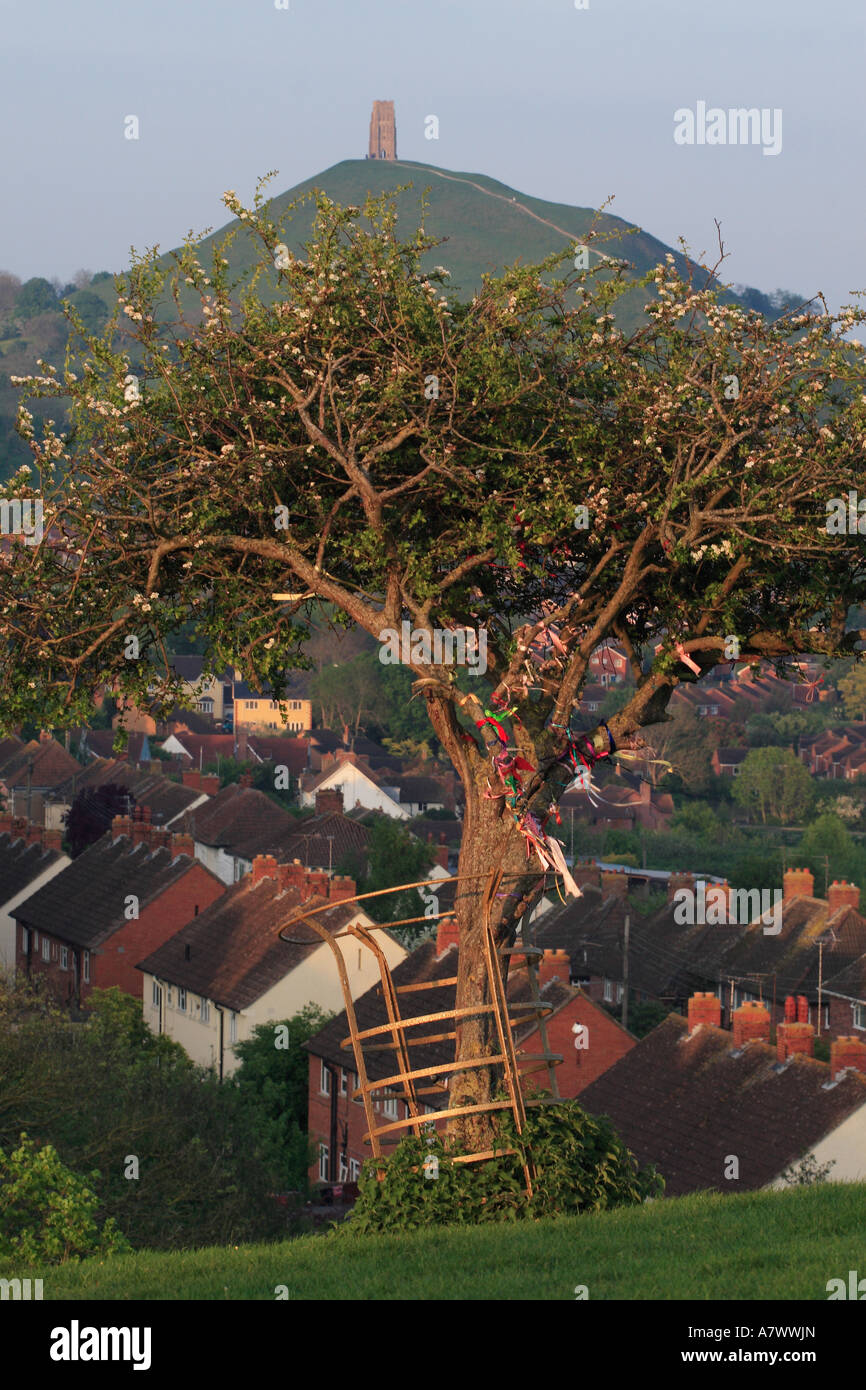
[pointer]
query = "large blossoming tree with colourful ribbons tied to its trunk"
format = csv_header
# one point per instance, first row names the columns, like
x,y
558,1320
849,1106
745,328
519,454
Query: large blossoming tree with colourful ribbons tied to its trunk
x,y
338,432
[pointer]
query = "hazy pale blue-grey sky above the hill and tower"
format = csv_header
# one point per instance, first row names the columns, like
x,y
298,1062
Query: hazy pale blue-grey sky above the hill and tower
x,y
564,104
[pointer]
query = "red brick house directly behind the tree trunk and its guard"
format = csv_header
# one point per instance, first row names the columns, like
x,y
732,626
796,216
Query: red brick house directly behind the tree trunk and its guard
x,y
586,1036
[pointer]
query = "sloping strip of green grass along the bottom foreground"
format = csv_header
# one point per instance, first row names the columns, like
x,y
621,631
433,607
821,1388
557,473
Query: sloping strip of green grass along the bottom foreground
x,y
760,1246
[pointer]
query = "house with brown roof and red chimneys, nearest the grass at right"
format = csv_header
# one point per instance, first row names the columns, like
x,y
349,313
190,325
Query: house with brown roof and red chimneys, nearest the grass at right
x,y
730,1113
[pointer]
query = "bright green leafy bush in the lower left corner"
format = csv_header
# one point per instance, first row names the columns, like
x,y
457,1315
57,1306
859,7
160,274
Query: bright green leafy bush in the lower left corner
x,y
48,1213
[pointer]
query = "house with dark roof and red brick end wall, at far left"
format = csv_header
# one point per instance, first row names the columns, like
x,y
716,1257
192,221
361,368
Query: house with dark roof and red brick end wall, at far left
x,y
123,897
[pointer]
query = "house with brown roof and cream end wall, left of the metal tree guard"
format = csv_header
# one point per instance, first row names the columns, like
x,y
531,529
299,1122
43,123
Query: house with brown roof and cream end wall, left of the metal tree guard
x,y
244,963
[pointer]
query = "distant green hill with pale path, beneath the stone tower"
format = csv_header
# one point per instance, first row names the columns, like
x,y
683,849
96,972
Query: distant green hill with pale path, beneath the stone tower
x,y
487,224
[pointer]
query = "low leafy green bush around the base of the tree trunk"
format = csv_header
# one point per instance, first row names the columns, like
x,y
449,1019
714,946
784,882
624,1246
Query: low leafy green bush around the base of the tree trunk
x,y
580,1166
